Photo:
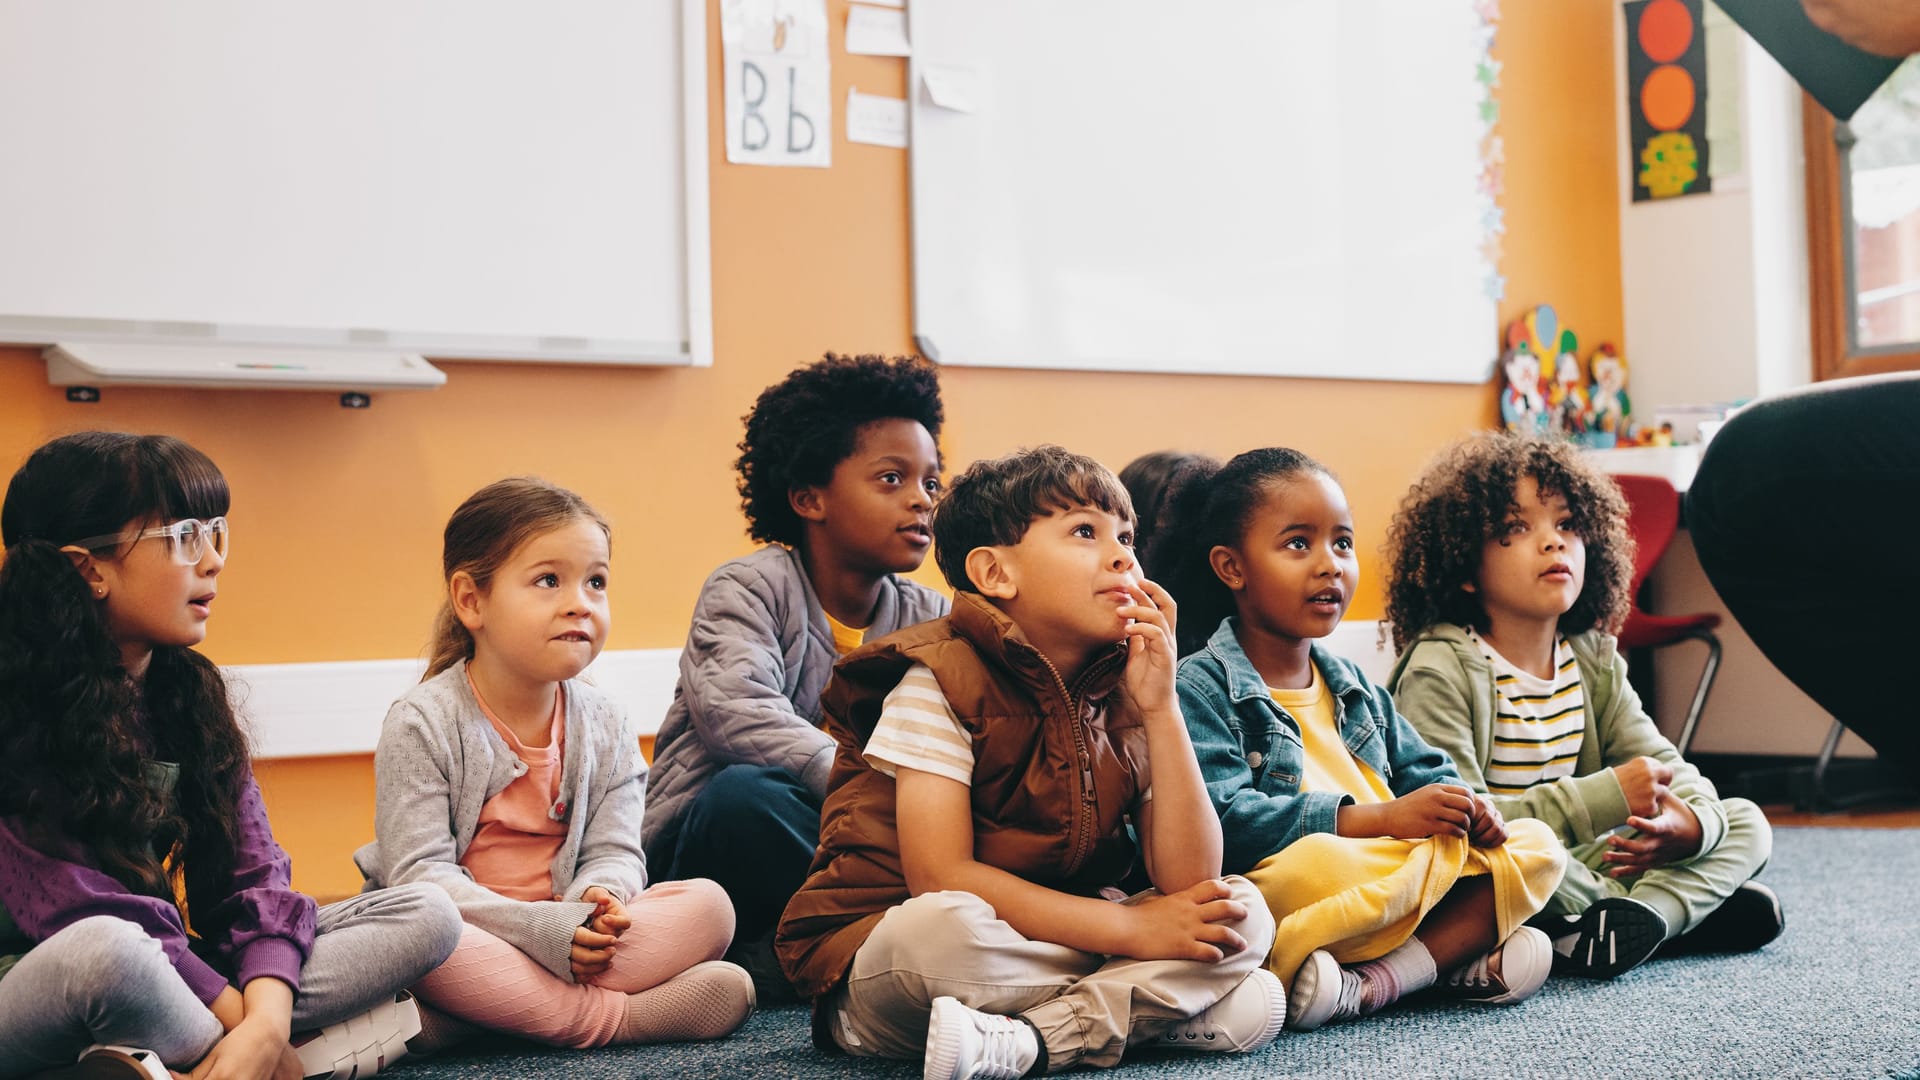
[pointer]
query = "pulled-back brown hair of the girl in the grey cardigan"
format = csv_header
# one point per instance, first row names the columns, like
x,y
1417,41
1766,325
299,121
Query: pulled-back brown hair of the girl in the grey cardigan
x,y
483,535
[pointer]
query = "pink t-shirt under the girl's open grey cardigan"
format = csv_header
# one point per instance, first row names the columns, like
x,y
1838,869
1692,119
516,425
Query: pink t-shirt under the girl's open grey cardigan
x,y
517,839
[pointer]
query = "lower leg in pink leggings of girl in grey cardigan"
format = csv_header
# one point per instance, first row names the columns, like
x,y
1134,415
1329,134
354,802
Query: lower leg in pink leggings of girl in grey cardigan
x,y
496,987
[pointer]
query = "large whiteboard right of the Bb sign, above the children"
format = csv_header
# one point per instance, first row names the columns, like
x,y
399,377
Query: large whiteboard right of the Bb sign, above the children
x,y
1251,187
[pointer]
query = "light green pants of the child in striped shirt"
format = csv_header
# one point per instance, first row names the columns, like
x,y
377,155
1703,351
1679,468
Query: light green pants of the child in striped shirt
x,y
1683,893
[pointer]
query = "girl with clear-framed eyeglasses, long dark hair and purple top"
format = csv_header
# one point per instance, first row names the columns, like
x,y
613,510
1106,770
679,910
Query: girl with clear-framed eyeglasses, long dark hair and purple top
x,y
147,916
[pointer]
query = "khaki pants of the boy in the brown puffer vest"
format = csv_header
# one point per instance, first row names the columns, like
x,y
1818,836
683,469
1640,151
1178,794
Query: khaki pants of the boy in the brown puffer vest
x,y
1088,1008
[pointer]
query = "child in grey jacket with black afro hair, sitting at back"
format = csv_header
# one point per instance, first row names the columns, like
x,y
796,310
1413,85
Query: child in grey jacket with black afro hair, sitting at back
x,y
838,478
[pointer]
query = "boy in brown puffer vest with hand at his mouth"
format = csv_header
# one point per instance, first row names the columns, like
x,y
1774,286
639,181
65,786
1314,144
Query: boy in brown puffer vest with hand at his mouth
x,y
963,908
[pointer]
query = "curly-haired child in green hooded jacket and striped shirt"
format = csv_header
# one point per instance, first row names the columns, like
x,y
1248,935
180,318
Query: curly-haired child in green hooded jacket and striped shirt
x,y
1510,566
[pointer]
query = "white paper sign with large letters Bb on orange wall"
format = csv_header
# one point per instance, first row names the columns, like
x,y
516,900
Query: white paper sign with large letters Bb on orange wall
x,y
779,84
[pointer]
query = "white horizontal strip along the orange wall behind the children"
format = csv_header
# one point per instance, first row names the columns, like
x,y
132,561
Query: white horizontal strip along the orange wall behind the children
x,y
320,710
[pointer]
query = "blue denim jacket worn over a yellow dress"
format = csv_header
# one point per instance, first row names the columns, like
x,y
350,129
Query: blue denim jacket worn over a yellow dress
x,y
1251,750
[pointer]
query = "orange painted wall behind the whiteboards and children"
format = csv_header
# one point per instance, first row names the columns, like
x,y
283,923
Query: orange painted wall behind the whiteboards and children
x,y
337,514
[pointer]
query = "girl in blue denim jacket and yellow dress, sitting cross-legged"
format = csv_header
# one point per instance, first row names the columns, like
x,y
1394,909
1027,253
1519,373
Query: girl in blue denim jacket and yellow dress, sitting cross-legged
x,y
1383,871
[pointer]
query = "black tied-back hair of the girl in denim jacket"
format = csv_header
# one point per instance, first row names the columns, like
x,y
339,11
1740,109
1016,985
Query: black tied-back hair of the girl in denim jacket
x,y
1211,506
